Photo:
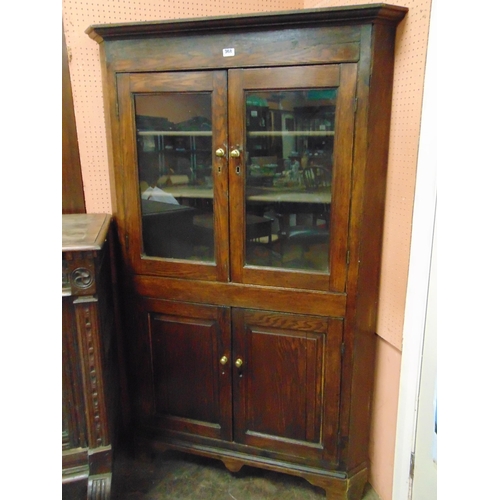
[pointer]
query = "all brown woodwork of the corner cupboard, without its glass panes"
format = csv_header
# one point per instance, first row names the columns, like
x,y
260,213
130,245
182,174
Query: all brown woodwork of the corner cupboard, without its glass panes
x,y
300,400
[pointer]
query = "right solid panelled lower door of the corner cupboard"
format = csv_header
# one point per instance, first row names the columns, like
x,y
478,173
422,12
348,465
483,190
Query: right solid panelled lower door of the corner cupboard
x,y
286,387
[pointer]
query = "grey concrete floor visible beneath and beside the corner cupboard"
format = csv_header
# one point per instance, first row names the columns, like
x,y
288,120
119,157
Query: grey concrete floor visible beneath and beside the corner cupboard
x,y
179,476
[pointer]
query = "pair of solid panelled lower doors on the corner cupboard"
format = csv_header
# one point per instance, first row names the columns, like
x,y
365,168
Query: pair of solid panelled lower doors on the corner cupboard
x,y
268,382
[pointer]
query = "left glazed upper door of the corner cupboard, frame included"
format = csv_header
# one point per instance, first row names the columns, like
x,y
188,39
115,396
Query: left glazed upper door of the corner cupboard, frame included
x,y
173,129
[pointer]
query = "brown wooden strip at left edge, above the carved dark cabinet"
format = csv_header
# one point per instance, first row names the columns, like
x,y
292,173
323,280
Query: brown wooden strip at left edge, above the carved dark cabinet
x,y
73,197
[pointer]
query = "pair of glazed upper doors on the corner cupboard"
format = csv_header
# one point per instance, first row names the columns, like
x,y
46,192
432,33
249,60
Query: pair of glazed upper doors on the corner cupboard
x,y
241,175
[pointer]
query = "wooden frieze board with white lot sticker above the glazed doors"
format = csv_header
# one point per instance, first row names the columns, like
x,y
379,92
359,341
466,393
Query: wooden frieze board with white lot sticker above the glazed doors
x,y
290,46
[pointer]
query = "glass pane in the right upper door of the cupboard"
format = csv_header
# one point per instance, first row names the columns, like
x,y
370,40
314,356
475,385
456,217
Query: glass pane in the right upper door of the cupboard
x,y
289,144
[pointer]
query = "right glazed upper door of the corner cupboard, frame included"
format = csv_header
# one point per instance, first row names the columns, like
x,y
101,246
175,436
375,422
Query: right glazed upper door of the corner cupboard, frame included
x,y
291,144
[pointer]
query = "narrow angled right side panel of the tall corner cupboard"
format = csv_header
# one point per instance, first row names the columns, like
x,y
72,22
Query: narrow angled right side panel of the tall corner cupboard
x,y
372,192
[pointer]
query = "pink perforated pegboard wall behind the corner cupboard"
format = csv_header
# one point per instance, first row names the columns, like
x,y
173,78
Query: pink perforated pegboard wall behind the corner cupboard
x,y
411,50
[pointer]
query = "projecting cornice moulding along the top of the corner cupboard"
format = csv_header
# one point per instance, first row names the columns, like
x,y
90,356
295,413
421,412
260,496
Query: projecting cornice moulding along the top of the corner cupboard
x,y
358,14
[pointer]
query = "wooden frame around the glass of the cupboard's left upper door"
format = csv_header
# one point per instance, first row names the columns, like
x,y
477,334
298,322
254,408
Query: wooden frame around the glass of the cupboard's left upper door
x,y
215,83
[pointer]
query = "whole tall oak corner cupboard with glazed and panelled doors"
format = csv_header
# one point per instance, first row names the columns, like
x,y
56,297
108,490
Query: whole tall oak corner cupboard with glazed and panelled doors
x,y
249,158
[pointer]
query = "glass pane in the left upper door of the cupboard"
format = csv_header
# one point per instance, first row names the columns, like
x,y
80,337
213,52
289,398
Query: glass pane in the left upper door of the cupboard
x,y
174,145
